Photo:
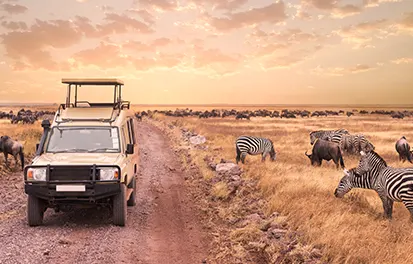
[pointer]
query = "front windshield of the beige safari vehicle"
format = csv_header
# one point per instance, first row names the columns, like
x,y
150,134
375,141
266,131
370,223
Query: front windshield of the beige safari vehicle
x,y
83,139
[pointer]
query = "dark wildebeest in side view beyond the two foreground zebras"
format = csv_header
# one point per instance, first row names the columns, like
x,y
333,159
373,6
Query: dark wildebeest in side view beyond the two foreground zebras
x,y
325,150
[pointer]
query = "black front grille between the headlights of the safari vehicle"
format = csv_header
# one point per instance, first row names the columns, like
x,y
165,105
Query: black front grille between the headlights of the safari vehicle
x,y
72,173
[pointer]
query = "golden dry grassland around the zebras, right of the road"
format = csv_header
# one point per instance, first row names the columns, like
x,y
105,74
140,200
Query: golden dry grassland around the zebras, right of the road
x,y
350,230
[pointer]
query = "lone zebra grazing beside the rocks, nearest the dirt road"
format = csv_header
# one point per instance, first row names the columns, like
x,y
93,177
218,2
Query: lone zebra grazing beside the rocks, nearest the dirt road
x,y
254,146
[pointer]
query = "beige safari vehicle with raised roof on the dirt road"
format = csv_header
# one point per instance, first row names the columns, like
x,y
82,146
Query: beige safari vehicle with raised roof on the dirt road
x,y
86,157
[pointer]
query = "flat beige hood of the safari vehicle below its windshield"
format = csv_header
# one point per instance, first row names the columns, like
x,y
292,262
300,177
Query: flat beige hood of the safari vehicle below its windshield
x,y
77,159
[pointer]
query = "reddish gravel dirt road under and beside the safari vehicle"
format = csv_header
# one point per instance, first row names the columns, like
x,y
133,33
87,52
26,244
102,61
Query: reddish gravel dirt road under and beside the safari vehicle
x,y
162,228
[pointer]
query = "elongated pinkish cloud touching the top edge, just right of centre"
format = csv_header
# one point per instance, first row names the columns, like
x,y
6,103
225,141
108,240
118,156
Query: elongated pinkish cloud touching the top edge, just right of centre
x,y
272,14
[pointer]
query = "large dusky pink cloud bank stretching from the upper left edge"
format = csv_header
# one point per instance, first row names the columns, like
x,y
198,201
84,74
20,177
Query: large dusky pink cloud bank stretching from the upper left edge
x,y
31,48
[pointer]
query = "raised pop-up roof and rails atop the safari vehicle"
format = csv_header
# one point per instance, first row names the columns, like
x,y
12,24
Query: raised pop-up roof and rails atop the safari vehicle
x,y
117,105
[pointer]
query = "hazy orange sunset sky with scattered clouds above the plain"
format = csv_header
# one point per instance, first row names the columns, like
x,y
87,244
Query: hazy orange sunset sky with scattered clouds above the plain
x,y
210,51
